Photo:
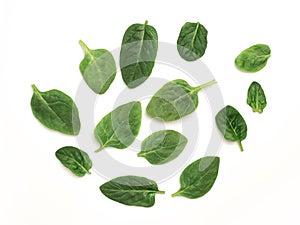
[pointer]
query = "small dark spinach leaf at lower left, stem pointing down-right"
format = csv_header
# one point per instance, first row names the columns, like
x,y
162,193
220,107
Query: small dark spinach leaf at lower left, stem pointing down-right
x,y
75,159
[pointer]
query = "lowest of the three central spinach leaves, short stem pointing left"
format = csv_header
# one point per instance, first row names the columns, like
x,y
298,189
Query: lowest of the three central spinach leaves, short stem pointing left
x,y
162,146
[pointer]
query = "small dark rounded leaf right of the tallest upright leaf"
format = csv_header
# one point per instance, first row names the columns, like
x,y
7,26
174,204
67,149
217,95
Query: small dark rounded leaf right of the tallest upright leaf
x,y
192,41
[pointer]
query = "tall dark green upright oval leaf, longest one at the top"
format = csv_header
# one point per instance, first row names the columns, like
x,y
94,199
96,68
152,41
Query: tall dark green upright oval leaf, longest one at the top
x,y
138,53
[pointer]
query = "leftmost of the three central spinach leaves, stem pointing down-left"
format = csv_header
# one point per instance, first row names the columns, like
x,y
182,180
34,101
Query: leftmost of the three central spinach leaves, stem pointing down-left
x,y
120,127
